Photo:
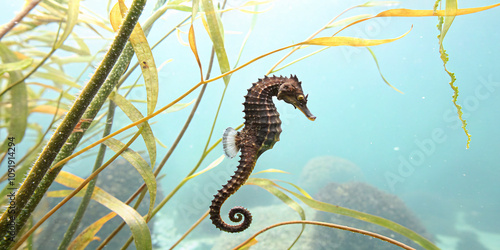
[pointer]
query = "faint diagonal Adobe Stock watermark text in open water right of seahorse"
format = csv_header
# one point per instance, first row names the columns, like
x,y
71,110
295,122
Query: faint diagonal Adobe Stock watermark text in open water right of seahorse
x,y
426,147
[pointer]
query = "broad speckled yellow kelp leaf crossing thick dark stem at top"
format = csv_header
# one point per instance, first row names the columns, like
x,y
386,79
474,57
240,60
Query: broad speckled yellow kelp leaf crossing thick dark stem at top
x,y
143,53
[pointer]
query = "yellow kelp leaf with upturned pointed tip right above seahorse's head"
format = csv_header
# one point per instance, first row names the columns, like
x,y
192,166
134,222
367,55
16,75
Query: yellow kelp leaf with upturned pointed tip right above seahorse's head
x,y
349,41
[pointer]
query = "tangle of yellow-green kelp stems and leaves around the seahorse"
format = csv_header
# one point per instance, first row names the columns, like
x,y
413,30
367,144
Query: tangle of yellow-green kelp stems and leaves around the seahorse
x,y
36,52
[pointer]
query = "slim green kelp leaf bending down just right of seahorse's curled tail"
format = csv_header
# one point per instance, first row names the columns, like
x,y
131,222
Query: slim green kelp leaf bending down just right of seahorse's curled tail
x,y
269,186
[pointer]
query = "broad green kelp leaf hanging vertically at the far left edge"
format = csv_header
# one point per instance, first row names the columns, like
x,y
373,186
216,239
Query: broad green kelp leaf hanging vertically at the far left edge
x,y
18,99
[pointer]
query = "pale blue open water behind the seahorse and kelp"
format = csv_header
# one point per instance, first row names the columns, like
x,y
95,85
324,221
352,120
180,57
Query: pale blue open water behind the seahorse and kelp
x,y
410,144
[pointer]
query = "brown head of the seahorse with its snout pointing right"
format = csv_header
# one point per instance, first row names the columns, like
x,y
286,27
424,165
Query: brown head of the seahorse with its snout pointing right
x,y
291,92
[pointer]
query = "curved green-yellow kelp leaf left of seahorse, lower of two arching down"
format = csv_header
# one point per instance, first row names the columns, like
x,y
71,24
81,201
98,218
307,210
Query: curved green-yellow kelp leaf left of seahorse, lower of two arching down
x,y
140,164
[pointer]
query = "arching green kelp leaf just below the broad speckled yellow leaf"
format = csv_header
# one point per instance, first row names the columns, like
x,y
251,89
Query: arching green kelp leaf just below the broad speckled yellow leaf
x,y
134,115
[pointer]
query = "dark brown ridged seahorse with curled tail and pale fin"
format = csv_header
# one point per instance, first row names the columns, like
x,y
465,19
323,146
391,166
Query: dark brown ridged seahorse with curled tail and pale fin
x,y
261,131
